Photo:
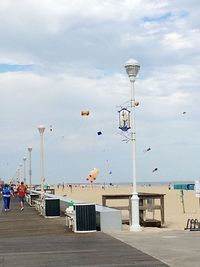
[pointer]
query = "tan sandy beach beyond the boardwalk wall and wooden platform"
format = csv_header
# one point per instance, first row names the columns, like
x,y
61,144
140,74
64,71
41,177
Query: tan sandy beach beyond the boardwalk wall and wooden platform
x,y
175,217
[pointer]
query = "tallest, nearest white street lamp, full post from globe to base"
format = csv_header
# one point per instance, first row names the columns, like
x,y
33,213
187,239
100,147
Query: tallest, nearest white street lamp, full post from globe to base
x,y
132,67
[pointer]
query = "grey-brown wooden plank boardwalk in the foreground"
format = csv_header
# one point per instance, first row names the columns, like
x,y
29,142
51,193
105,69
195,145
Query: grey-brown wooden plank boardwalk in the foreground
x,y
29,240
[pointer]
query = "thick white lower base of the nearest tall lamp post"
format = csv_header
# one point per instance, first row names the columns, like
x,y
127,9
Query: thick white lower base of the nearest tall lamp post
x,y
135,225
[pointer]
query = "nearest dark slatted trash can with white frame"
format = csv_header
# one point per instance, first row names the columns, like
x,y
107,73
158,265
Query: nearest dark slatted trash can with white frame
x,y
85,218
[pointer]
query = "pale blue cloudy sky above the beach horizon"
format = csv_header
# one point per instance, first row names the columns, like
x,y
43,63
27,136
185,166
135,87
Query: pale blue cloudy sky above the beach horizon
x,y
61,57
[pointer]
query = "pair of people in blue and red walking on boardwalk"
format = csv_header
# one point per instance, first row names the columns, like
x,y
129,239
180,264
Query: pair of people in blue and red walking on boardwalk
x,y
8,192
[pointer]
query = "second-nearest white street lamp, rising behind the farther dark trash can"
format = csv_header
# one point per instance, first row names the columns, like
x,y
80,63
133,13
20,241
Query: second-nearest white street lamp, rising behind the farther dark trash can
x,y
41,129
